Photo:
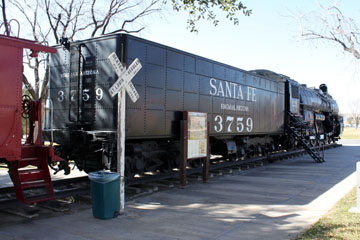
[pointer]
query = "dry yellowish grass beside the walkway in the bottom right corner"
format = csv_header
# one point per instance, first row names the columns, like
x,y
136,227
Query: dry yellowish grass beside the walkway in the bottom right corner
x,y
338,223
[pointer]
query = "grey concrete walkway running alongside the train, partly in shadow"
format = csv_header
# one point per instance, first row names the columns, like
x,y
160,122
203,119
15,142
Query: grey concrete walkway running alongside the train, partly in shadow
x,y
276,201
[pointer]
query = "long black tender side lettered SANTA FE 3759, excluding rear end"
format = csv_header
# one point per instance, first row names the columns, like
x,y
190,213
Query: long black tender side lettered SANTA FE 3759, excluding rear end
x,y
172,81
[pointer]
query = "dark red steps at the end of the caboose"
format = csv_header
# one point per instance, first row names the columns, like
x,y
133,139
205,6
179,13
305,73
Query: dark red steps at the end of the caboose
x,y
31,176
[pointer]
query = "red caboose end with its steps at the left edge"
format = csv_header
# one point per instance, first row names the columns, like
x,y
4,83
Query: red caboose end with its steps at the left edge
x,y
27,162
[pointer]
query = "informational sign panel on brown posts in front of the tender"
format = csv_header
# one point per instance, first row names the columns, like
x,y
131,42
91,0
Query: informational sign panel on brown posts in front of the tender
x,y
197,135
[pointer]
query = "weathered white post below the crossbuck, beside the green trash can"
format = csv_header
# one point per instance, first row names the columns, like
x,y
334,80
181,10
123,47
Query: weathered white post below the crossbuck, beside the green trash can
x,y
121,147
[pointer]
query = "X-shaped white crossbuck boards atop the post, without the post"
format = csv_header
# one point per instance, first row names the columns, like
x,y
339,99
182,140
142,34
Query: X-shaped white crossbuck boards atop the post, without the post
x,y
125,77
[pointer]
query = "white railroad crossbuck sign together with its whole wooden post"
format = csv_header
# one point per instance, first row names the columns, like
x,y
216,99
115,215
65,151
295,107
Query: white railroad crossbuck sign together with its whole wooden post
x,y
119,87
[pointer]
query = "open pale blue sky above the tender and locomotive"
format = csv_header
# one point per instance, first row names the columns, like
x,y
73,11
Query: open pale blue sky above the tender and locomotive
x,y
268,39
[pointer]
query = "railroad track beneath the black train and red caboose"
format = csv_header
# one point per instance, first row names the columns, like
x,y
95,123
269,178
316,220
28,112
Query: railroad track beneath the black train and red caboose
x,y
79,188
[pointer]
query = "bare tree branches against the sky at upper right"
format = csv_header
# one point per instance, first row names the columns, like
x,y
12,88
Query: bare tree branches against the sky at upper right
x,y
330,24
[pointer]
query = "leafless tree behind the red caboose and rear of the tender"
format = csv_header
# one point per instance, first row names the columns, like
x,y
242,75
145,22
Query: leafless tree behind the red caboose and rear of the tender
x,y
47,21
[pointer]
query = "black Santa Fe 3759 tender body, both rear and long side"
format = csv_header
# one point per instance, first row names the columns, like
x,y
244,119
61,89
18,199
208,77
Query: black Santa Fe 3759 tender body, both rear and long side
x,y
170,82
